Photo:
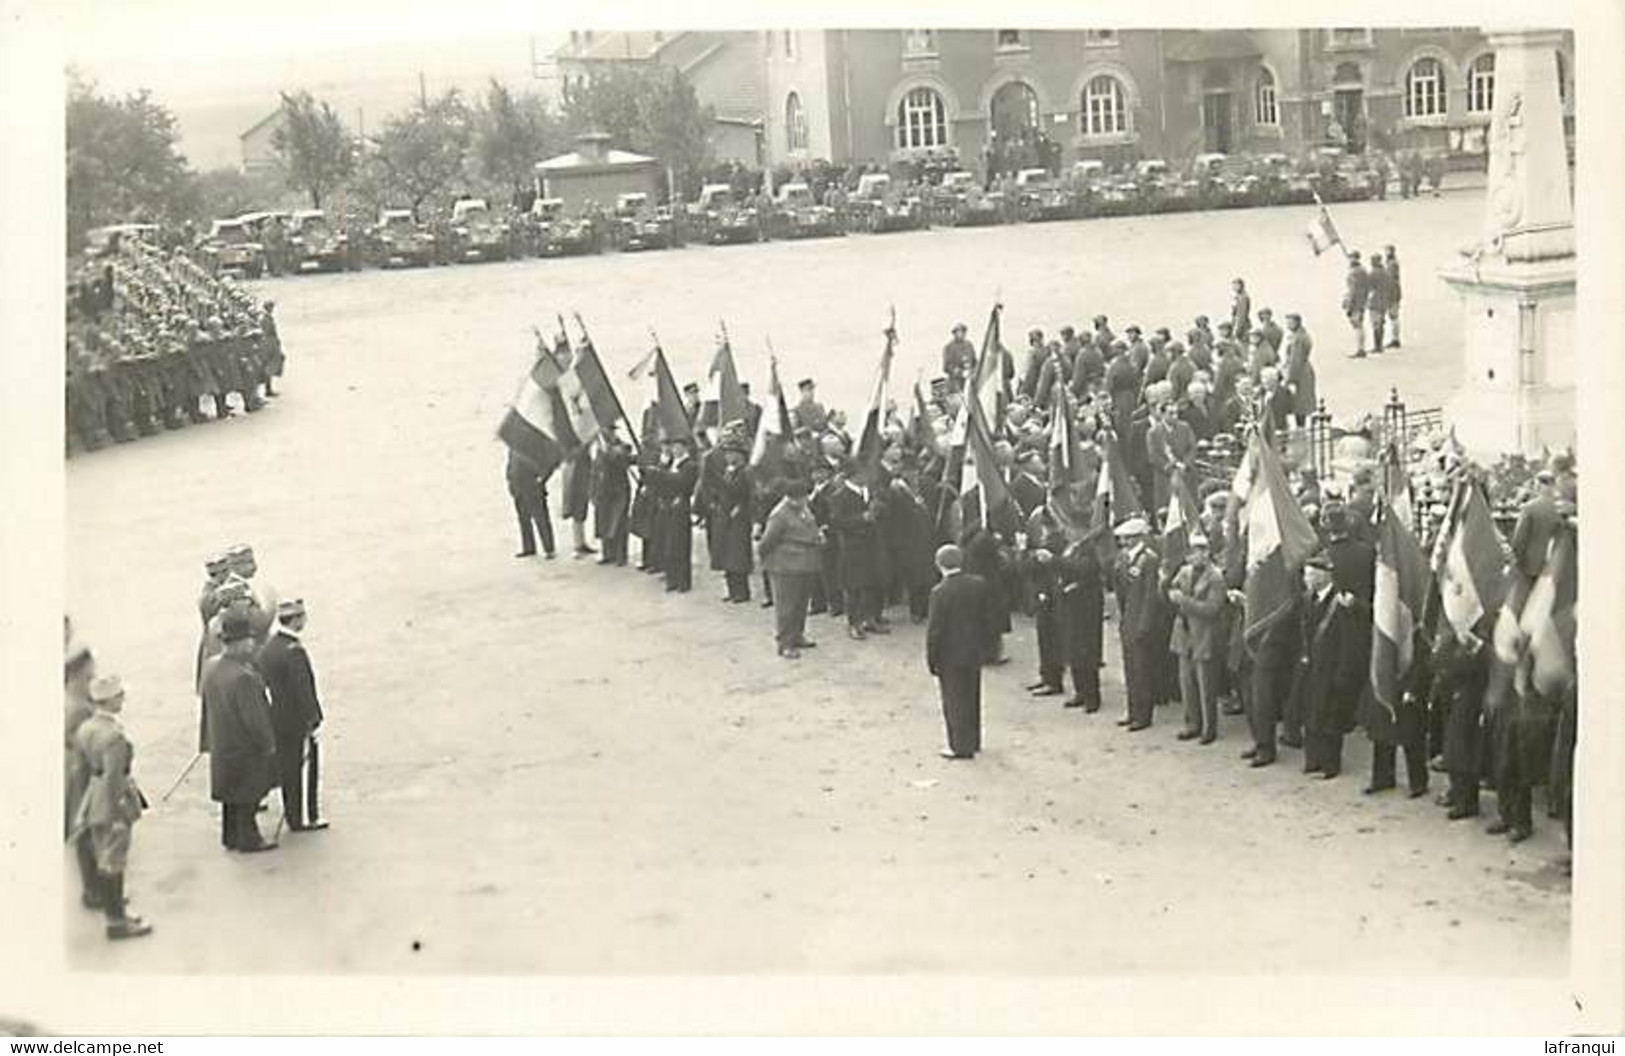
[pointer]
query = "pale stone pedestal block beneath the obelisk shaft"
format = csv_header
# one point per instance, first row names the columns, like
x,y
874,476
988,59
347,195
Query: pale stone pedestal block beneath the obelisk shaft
x,y
1519,386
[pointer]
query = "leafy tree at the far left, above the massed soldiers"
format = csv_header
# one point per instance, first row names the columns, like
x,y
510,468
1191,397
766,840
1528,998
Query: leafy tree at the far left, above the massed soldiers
x,y
124,162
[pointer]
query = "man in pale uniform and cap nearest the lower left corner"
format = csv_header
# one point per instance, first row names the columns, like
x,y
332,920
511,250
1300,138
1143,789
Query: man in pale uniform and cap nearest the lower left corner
x,y
113,803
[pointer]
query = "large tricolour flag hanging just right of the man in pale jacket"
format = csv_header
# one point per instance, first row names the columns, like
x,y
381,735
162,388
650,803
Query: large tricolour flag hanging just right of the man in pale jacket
x,y
1280,540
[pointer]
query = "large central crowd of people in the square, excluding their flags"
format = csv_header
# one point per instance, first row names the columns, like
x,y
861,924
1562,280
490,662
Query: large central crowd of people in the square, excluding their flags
x,y
841,535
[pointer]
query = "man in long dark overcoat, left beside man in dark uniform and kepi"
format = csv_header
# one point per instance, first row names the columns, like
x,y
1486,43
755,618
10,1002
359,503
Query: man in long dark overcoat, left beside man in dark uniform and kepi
x,y
241,740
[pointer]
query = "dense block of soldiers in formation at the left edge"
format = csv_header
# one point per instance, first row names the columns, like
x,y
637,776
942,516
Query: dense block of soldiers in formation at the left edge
x,y
155,342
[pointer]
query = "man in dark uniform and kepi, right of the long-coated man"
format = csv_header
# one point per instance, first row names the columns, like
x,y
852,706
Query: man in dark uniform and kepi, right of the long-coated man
x,y
297,716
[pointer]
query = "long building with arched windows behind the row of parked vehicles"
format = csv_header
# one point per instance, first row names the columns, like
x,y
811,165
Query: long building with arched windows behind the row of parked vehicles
x,y
1007,98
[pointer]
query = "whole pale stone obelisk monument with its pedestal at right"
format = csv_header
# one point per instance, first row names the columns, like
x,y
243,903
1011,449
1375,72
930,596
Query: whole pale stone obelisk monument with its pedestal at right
x,y
1519,285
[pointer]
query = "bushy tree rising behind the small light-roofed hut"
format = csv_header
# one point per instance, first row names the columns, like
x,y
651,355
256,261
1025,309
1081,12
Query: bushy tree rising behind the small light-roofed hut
x,y
652,111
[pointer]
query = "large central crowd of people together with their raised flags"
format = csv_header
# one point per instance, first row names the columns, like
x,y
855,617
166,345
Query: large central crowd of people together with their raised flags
x,y
1094,472
